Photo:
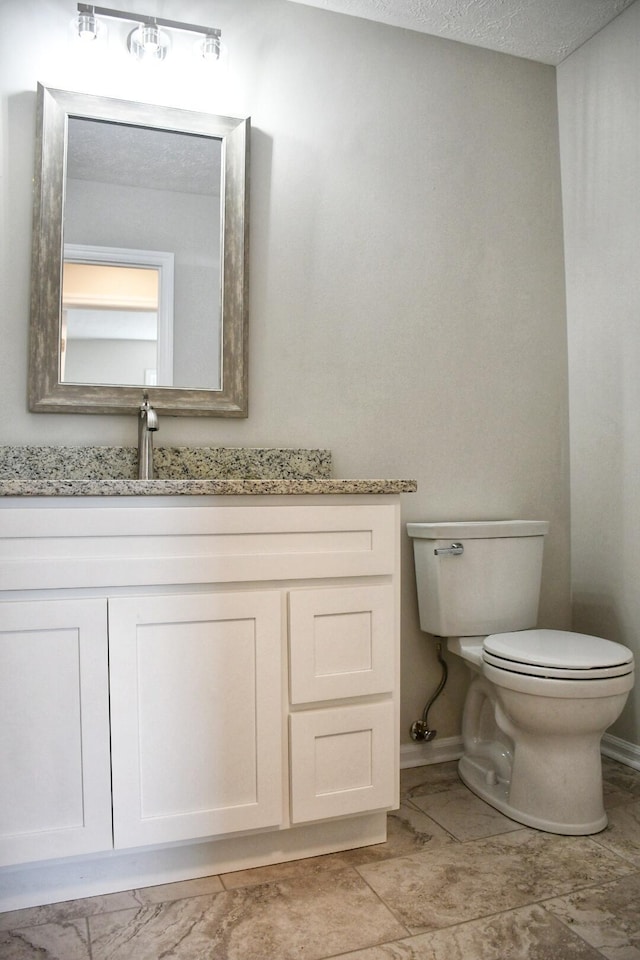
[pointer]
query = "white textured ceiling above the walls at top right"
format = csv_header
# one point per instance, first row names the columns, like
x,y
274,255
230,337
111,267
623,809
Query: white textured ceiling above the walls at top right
x,y
543,30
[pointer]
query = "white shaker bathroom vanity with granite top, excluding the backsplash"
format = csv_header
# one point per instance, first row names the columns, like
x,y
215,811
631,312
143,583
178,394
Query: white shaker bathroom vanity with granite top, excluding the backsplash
x,y
197,677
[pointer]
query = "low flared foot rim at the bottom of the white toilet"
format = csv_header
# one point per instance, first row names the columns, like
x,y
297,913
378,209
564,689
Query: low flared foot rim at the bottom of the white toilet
x,y
479,775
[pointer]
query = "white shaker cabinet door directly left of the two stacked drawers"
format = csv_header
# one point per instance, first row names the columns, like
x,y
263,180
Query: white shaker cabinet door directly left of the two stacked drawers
x,y
196,715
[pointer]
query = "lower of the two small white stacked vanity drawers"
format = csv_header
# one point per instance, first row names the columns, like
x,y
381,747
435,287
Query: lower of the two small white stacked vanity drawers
x,y
342,761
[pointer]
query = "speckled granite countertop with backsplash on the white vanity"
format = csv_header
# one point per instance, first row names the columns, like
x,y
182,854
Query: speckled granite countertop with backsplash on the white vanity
x,y
180,471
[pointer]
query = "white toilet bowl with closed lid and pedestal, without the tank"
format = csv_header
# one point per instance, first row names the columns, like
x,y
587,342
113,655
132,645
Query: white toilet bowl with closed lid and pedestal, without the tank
x,y
532,730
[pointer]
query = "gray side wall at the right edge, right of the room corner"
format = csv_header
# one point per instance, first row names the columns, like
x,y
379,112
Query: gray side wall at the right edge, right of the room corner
x,y
599,97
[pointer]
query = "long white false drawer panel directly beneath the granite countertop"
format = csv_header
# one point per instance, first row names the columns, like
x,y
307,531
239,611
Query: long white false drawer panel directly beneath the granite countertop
x,y
138,544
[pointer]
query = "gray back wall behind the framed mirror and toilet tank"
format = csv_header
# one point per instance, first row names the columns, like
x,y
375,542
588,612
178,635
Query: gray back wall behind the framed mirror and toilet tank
x,y
407,286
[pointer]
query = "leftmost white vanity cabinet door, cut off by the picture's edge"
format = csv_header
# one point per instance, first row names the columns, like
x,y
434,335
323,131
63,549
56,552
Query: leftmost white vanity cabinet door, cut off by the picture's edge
x,y
55,798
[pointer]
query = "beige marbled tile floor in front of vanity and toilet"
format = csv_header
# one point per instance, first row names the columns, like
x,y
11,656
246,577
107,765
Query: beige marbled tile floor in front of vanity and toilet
x,y
455,881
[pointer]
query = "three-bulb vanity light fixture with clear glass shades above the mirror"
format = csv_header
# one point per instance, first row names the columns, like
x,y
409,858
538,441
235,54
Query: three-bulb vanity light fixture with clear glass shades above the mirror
x,y
147,41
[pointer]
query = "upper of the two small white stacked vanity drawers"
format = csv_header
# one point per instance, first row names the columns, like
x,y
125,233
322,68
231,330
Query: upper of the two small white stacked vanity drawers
x,y
342,642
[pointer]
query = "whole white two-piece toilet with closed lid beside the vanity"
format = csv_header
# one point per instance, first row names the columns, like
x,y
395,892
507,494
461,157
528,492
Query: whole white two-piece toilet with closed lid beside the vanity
x,y
539,700
